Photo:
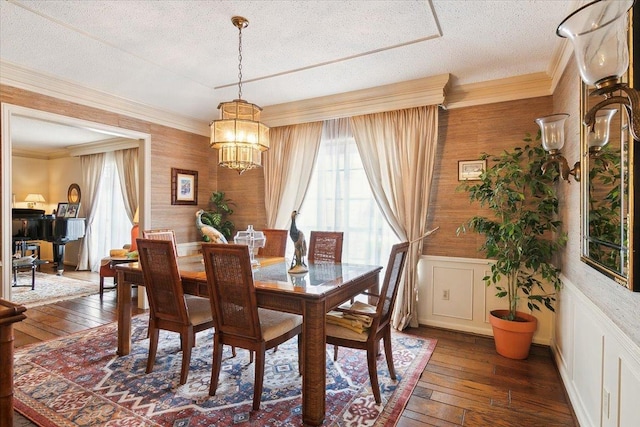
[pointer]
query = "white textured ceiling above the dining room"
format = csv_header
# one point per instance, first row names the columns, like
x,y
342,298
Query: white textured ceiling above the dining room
x,y
182,56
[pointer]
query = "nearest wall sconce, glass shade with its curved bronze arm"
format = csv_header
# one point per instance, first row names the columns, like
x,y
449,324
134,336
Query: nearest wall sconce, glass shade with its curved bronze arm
x,y
598,32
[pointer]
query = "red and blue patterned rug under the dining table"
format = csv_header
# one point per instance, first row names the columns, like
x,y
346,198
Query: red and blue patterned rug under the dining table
x,y
79,381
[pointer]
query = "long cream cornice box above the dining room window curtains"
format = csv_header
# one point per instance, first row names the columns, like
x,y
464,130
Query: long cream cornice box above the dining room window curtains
x,y
412,93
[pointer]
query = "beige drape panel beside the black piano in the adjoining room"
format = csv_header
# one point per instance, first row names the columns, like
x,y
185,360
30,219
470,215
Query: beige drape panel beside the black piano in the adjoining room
x,y
91,167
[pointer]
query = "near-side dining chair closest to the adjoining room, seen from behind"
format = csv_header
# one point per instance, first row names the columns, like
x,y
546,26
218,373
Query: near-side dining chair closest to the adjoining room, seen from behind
x,y
170,308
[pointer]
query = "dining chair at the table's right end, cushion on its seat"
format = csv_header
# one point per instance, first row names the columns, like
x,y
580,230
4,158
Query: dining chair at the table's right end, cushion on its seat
x,y
362,326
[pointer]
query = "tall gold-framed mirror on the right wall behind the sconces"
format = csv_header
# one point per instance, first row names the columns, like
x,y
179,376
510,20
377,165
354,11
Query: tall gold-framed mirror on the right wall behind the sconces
x,y
610,233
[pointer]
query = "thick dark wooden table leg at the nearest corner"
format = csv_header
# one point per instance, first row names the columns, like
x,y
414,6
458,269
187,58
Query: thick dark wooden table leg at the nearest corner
x,y
314,377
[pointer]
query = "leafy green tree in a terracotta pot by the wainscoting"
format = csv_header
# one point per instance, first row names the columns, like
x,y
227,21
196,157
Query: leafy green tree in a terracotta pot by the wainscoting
x,y
521,238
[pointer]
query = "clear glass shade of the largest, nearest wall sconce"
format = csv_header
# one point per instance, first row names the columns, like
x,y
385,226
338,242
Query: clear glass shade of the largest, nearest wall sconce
x,y
598,32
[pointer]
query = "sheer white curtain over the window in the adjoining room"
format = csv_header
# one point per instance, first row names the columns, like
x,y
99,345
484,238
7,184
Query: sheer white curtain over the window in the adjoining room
x,y
108,224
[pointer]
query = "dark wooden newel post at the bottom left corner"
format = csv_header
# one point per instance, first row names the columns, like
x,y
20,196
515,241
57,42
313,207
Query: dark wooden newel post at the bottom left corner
x,y
10,313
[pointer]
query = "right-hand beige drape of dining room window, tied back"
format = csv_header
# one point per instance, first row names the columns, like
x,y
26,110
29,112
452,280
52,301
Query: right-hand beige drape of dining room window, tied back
x,y
398,152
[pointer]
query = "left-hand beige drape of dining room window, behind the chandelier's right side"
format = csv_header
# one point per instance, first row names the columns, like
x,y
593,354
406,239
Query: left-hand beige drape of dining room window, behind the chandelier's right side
x,y
287,169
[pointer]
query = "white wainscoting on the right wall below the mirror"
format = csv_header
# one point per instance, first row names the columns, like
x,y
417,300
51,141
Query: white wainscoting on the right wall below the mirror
x,y
598,363
